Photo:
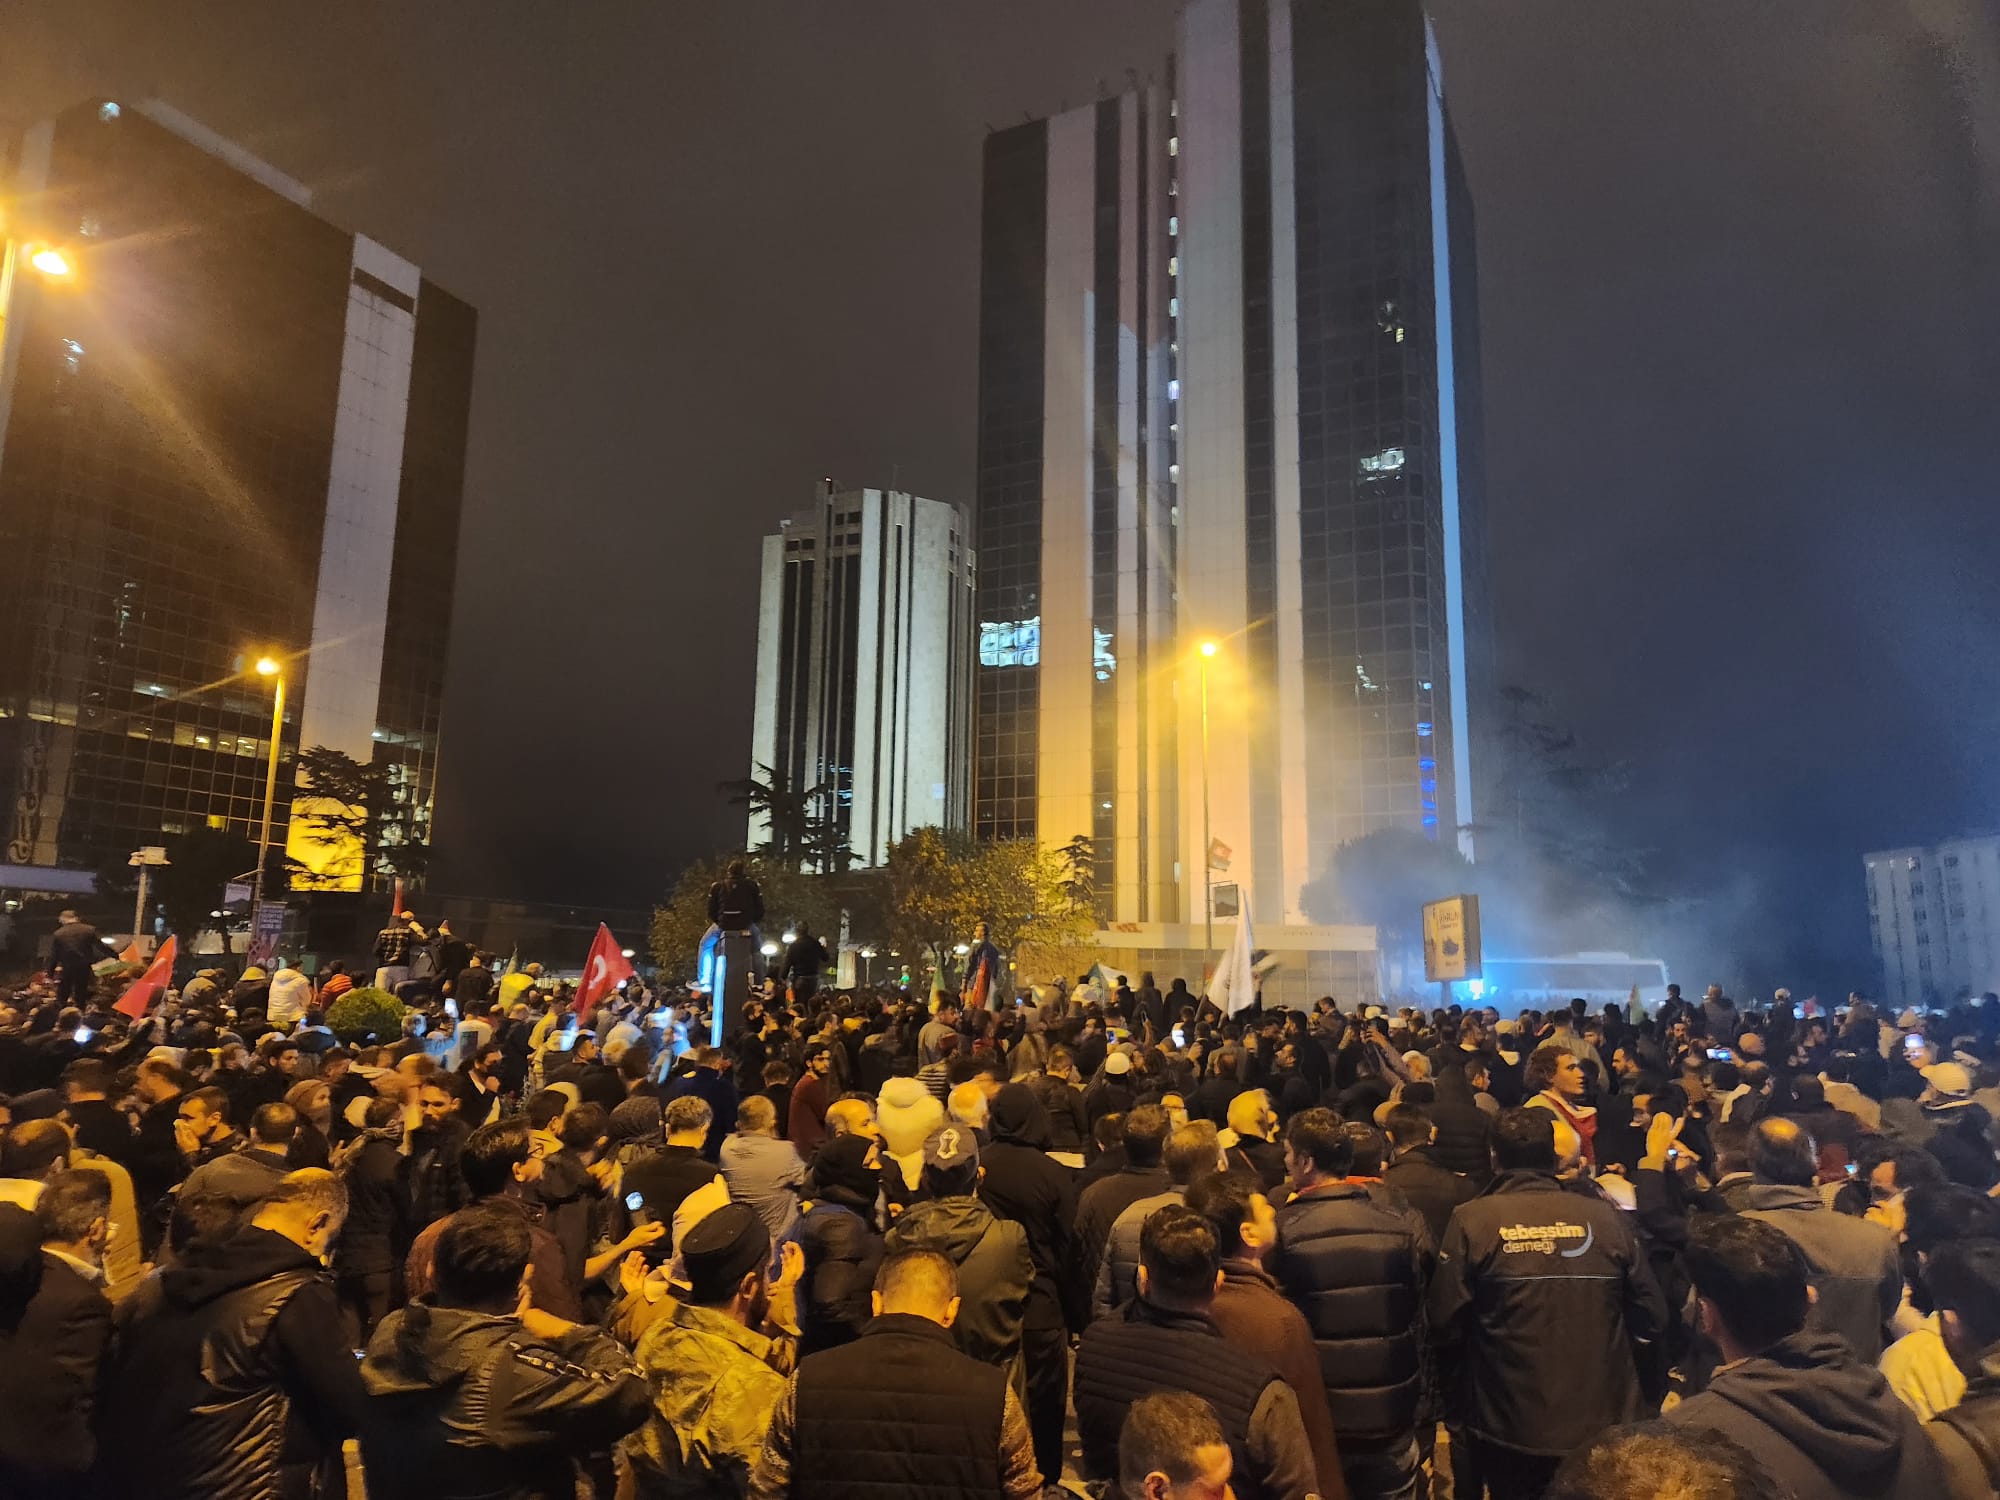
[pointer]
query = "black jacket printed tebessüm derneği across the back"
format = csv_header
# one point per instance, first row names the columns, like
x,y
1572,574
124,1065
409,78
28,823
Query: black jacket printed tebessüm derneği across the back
x,y
1549,1313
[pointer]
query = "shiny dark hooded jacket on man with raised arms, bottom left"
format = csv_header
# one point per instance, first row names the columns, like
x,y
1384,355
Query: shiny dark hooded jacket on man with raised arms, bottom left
x,y
469,1407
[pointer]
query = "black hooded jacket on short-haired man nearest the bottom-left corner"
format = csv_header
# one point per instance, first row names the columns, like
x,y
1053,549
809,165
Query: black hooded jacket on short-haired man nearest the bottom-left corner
x,y
237,1383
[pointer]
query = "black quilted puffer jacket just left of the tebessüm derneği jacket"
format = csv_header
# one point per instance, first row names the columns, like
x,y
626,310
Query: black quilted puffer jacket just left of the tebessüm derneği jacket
x,y
1357,1267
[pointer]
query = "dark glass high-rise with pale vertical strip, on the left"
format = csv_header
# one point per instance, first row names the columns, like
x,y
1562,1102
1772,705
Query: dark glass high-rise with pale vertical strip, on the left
x,y
227,429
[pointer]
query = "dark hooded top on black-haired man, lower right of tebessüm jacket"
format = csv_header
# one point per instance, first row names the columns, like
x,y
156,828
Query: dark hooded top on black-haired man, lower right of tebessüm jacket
x,y
1819,1421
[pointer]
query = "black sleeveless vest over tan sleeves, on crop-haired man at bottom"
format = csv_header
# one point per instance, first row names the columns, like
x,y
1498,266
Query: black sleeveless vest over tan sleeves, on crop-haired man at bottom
x,y
897,1415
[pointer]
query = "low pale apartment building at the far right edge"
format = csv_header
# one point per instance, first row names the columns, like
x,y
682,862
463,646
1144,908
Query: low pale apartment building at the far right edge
x,y
1935,921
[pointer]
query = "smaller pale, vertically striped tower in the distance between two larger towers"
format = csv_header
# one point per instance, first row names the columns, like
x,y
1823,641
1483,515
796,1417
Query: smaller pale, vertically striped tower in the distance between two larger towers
x,y
865,673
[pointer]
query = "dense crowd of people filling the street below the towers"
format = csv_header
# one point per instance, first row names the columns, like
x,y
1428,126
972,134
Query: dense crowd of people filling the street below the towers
x,y
1093,1235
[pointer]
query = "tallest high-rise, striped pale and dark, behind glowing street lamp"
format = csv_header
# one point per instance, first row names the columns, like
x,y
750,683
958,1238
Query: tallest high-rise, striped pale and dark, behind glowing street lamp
x,y
1229,395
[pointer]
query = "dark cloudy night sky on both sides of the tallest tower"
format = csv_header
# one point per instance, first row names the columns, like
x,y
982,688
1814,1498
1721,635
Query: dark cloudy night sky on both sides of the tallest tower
x,y
1741,281
